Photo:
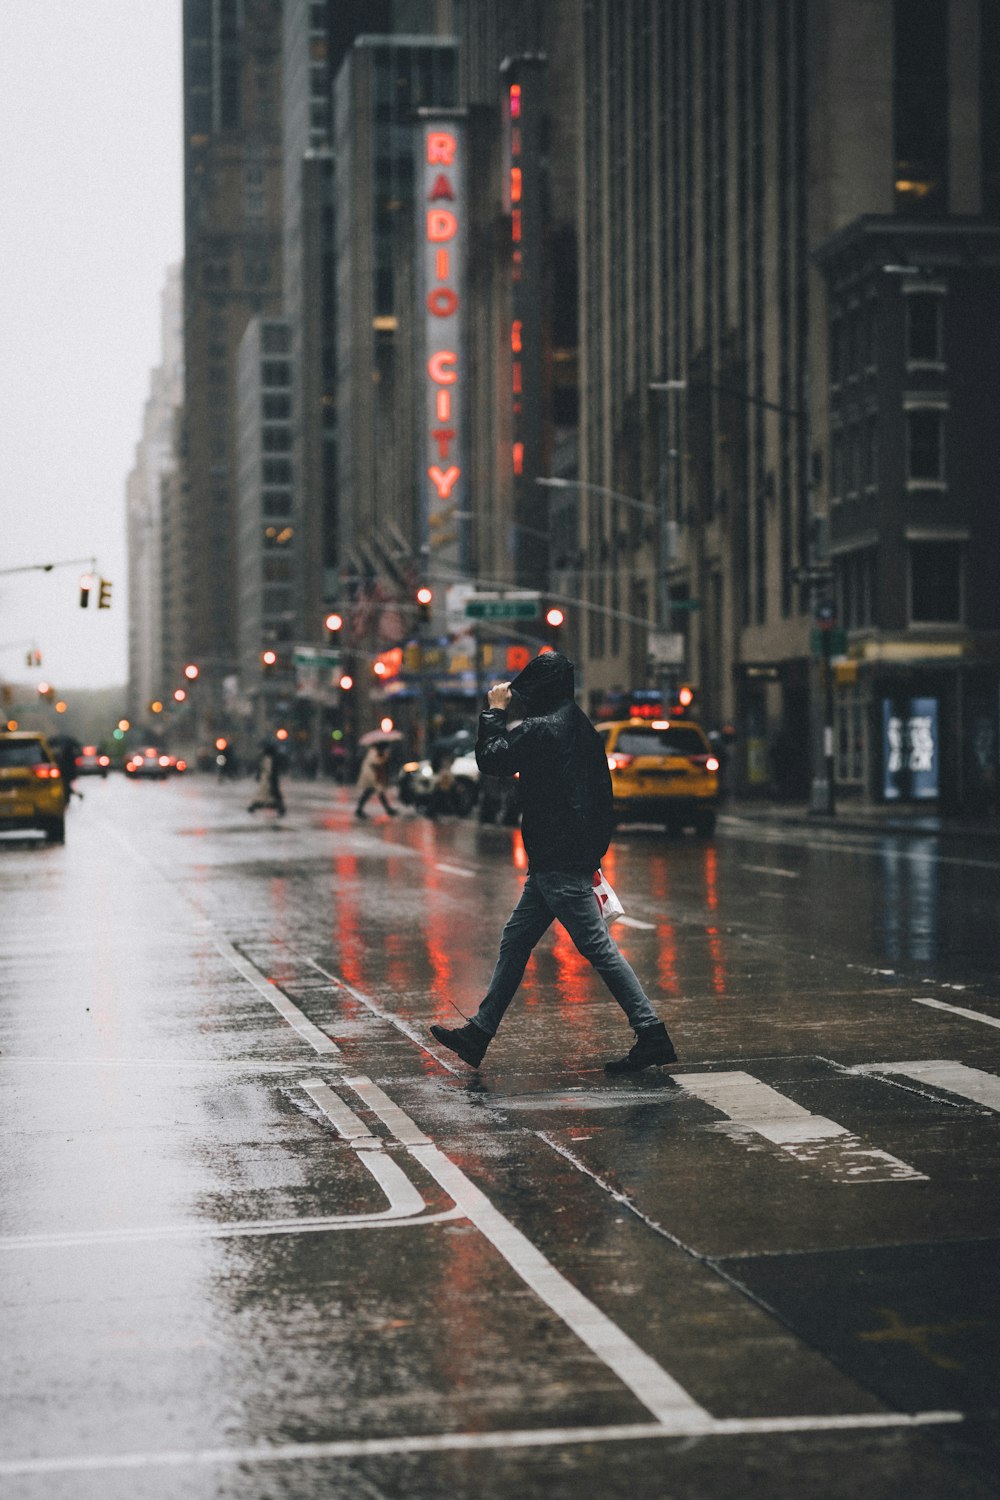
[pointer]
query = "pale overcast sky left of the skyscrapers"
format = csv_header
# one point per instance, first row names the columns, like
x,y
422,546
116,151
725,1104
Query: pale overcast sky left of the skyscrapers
x,y
91,218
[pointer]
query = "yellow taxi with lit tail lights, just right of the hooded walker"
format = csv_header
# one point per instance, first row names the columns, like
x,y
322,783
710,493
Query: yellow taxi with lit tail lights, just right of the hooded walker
x,y
665,772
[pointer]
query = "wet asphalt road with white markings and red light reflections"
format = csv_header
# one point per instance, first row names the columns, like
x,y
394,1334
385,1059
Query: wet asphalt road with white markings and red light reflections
x,y
260,1237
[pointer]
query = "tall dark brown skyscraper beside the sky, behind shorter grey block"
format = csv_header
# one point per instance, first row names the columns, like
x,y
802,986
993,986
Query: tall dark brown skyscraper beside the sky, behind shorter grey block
x,y
233,208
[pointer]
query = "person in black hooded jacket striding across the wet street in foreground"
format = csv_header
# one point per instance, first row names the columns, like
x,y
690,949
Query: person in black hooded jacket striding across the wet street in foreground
x,y
567,823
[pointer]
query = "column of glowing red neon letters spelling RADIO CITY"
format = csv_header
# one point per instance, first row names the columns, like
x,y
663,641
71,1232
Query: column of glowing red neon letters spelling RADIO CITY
x,y
443,304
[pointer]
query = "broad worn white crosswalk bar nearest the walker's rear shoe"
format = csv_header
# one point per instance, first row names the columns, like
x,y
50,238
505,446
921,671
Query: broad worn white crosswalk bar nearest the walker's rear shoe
x,y
762,1111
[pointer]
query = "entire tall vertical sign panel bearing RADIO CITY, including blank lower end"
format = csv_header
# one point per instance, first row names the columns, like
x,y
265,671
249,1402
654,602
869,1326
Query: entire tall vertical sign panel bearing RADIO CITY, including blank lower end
x,y
443,448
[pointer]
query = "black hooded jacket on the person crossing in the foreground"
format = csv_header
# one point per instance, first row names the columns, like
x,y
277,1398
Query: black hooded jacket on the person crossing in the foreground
x,y
561,767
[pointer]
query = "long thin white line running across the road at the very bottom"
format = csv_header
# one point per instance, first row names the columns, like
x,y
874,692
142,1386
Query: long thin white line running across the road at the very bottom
x,y
469,1442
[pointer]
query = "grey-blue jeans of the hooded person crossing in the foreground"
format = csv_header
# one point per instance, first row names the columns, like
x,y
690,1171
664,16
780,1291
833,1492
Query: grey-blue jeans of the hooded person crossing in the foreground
x,y
566,898
